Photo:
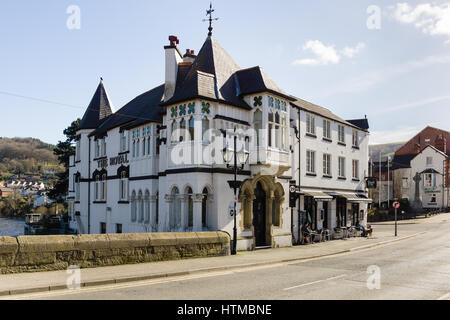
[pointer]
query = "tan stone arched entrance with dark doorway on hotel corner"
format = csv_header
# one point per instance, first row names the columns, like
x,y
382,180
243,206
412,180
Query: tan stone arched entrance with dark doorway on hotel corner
x,y
261,199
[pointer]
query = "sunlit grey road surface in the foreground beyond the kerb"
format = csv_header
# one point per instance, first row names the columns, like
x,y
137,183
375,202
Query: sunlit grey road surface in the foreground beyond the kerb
x,y
416,268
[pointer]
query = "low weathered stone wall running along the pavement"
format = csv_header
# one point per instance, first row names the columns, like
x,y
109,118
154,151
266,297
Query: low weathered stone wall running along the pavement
x,y
45,253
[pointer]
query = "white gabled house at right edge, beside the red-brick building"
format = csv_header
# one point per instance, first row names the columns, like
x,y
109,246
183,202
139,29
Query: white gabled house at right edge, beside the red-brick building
x,y
424,180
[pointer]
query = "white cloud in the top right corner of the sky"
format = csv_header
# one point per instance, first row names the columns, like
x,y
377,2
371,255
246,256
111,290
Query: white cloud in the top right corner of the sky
x,y
431,19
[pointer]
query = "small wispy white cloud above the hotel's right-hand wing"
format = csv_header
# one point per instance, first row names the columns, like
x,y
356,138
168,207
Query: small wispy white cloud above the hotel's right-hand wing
x,y
326,54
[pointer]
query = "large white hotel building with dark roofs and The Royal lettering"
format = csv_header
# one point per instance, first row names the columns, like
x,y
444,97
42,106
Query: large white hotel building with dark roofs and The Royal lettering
x,y
127,175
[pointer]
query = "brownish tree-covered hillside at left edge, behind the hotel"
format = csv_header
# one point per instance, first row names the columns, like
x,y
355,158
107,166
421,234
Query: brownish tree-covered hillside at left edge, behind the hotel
x,y
27,156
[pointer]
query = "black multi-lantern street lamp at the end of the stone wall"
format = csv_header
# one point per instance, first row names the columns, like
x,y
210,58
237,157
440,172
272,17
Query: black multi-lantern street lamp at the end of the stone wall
x,y
228,156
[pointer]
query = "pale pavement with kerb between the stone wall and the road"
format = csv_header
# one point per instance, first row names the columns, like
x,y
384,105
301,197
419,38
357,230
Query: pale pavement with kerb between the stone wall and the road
x,y
41,282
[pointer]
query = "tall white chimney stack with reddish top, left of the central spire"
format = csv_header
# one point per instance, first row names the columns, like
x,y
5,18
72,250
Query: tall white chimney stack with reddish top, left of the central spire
x,y
173,57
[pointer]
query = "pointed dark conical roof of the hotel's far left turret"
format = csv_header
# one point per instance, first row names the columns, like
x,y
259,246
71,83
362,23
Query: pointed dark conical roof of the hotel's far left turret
x,y
99,108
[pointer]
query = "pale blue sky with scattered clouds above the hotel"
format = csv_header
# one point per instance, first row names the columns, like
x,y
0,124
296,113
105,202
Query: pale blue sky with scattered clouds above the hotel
x,y
387,60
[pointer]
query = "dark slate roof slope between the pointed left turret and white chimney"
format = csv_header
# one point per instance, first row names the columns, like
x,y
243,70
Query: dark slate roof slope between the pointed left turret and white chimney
x,y
142,109
